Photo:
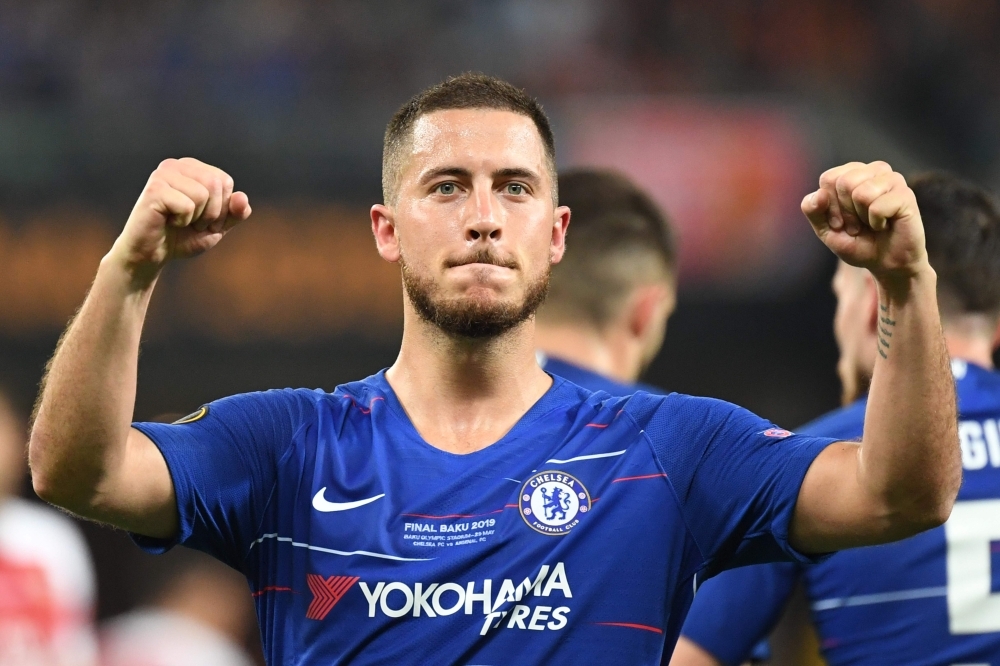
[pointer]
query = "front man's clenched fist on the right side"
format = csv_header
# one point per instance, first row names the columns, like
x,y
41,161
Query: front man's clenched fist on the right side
x,y
867,215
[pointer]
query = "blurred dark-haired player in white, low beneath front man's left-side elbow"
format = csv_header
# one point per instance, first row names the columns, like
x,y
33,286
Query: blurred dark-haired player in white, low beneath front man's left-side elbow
x,y
201,617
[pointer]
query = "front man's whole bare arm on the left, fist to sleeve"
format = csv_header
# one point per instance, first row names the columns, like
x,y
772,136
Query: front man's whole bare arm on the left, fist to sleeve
x,y
84,455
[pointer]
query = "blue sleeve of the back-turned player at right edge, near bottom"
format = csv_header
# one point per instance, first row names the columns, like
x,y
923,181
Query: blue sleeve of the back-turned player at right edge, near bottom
x,y
734,611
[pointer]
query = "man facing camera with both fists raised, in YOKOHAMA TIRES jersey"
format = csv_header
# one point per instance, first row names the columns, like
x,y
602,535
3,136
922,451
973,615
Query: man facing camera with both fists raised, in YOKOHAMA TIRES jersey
x,y
464,506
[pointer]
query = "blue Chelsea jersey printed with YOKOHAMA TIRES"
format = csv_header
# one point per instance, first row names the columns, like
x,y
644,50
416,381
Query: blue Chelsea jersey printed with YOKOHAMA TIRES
x,y
576,538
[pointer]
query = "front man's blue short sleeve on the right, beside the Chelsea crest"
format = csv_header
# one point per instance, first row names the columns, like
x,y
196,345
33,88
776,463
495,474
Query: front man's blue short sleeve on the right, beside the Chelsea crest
x,y
735,475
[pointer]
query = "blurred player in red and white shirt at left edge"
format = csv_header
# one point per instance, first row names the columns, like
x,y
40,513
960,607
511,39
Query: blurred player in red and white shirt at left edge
x,y
47,587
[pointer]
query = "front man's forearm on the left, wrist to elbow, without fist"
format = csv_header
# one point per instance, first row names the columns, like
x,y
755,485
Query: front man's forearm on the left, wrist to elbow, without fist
x,y
82,420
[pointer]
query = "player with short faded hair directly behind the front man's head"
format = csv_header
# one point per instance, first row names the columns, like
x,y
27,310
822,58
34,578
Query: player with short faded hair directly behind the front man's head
x,y
609,298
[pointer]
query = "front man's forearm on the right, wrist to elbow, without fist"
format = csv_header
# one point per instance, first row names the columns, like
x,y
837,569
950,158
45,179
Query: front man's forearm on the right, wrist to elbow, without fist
x,y
910,458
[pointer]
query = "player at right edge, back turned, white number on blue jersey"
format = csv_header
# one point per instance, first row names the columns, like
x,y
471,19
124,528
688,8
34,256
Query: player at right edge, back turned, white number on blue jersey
x,y
933,598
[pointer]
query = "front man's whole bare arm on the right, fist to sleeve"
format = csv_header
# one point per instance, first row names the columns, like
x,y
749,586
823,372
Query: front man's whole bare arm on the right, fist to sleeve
x,y
904,475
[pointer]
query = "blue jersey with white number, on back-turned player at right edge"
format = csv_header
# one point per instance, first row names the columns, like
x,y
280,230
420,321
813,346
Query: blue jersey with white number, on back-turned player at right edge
x,y
928,600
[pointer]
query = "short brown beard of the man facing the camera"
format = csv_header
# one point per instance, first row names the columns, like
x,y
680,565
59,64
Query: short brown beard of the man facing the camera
x,y
469,318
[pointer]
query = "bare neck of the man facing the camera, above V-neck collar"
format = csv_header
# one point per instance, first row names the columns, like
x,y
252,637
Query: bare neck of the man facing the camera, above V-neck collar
x,y
464,394
